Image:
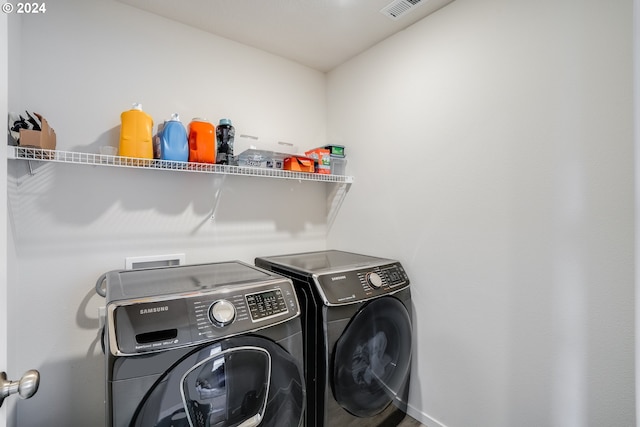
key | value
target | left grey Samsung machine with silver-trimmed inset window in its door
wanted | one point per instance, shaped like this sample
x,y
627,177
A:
x,y
212,345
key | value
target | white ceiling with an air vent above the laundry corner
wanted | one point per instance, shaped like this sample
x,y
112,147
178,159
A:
x,y
320,34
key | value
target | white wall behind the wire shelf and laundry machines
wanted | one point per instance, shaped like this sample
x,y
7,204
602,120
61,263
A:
x,y
81,64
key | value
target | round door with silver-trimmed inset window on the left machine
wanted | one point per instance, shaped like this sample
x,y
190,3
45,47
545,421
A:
x,y
243,381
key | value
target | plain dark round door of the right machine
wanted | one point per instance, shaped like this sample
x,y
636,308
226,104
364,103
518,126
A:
x,y
372,358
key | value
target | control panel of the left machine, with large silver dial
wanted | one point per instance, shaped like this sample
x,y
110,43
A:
x,y
169,321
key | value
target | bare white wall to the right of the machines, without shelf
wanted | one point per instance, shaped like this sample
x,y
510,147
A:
x,y
495,141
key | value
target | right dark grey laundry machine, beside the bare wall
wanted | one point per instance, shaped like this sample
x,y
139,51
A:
x,y
356,312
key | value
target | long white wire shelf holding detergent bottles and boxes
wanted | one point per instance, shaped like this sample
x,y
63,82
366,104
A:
x,y
59,156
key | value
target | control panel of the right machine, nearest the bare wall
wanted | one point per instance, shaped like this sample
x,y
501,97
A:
x,y
353,286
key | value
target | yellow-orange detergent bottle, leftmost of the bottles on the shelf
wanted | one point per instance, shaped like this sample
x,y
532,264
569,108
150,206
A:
x,y
136,133
